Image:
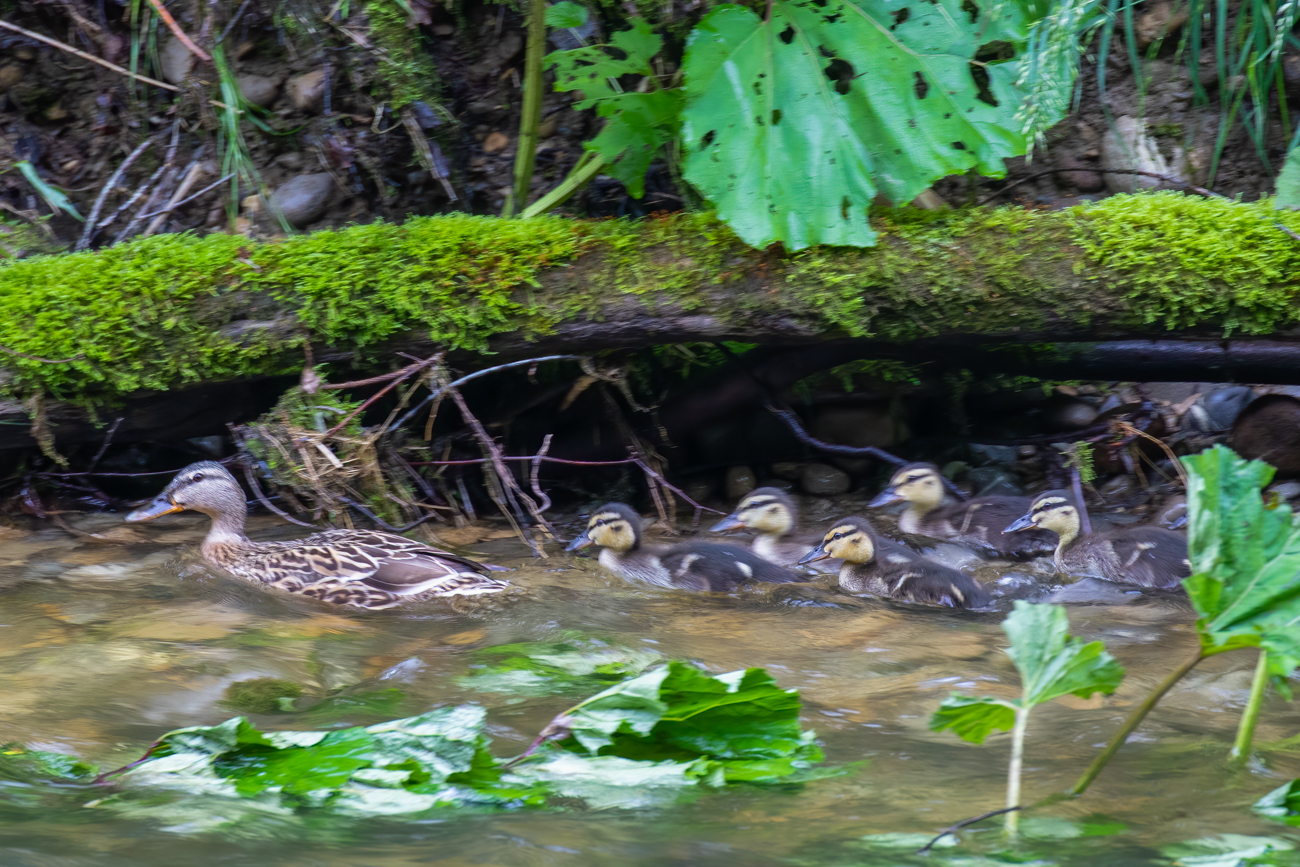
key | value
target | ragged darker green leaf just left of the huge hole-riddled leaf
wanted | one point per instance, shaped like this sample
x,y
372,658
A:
x,y
639,124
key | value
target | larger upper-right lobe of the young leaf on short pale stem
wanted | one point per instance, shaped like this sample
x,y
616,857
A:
x,y
1052,662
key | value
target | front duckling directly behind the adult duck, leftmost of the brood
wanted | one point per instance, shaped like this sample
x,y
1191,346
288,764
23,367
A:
x,y
691,566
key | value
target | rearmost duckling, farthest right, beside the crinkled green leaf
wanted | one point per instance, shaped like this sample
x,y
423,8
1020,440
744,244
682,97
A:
x,y
1146,556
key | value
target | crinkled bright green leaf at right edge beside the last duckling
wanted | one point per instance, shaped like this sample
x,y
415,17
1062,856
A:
x,y
1246,560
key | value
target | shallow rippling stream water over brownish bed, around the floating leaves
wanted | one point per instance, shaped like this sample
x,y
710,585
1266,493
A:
x,y
106,644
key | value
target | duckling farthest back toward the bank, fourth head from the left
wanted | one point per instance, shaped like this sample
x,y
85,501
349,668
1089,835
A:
x,y
977,522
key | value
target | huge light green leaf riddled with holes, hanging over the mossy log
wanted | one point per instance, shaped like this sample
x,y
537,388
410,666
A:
x,y
792,127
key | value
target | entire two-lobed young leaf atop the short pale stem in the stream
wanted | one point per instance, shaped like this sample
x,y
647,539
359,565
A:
x,y
1052,664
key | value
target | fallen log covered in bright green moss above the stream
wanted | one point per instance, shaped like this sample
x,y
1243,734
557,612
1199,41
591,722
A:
x,y
157,315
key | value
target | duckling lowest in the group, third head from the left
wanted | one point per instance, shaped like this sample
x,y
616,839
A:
x,y
876,565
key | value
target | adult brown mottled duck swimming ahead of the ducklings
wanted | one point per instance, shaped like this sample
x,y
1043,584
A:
x,y
363,569
